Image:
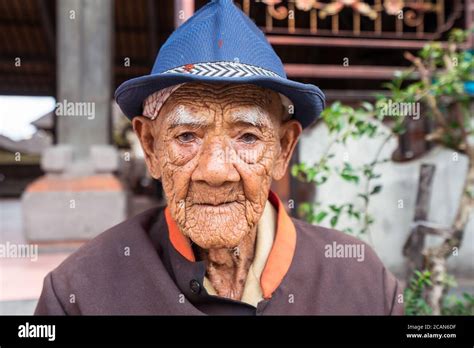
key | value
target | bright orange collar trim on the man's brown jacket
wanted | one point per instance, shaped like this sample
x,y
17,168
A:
x,y
279,259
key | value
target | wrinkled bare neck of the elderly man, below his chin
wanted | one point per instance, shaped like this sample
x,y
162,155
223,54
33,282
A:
x,y
227,269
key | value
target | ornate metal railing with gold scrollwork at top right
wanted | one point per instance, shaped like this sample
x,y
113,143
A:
x,y
407,19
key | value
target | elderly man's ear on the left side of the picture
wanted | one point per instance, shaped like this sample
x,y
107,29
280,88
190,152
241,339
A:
x,y
144,129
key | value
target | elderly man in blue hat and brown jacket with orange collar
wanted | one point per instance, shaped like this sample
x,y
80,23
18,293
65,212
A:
x,y
218,121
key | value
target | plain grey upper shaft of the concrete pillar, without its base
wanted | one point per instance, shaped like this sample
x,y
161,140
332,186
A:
x,y
84,51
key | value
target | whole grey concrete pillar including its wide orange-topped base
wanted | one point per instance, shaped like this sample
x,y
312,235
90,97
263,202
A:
x,y
79,197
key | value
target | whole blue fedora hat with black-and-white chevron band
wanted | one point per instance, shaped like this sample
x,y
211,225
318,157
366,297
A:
x,y
219,43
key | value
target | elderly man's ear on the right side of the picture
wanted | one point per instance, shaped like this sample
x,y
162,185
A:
x,y
289,134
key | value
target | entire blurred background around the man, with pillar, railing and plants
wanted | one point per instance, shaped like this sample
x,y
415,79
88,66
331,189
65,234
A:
x,y
71,167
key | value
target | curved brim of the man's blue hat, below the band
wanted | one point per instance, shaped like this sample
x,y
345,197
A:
x,y
308,100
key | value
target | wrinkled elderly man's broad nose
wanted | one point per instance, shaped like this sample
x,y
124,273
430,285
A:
x,y
215,166
